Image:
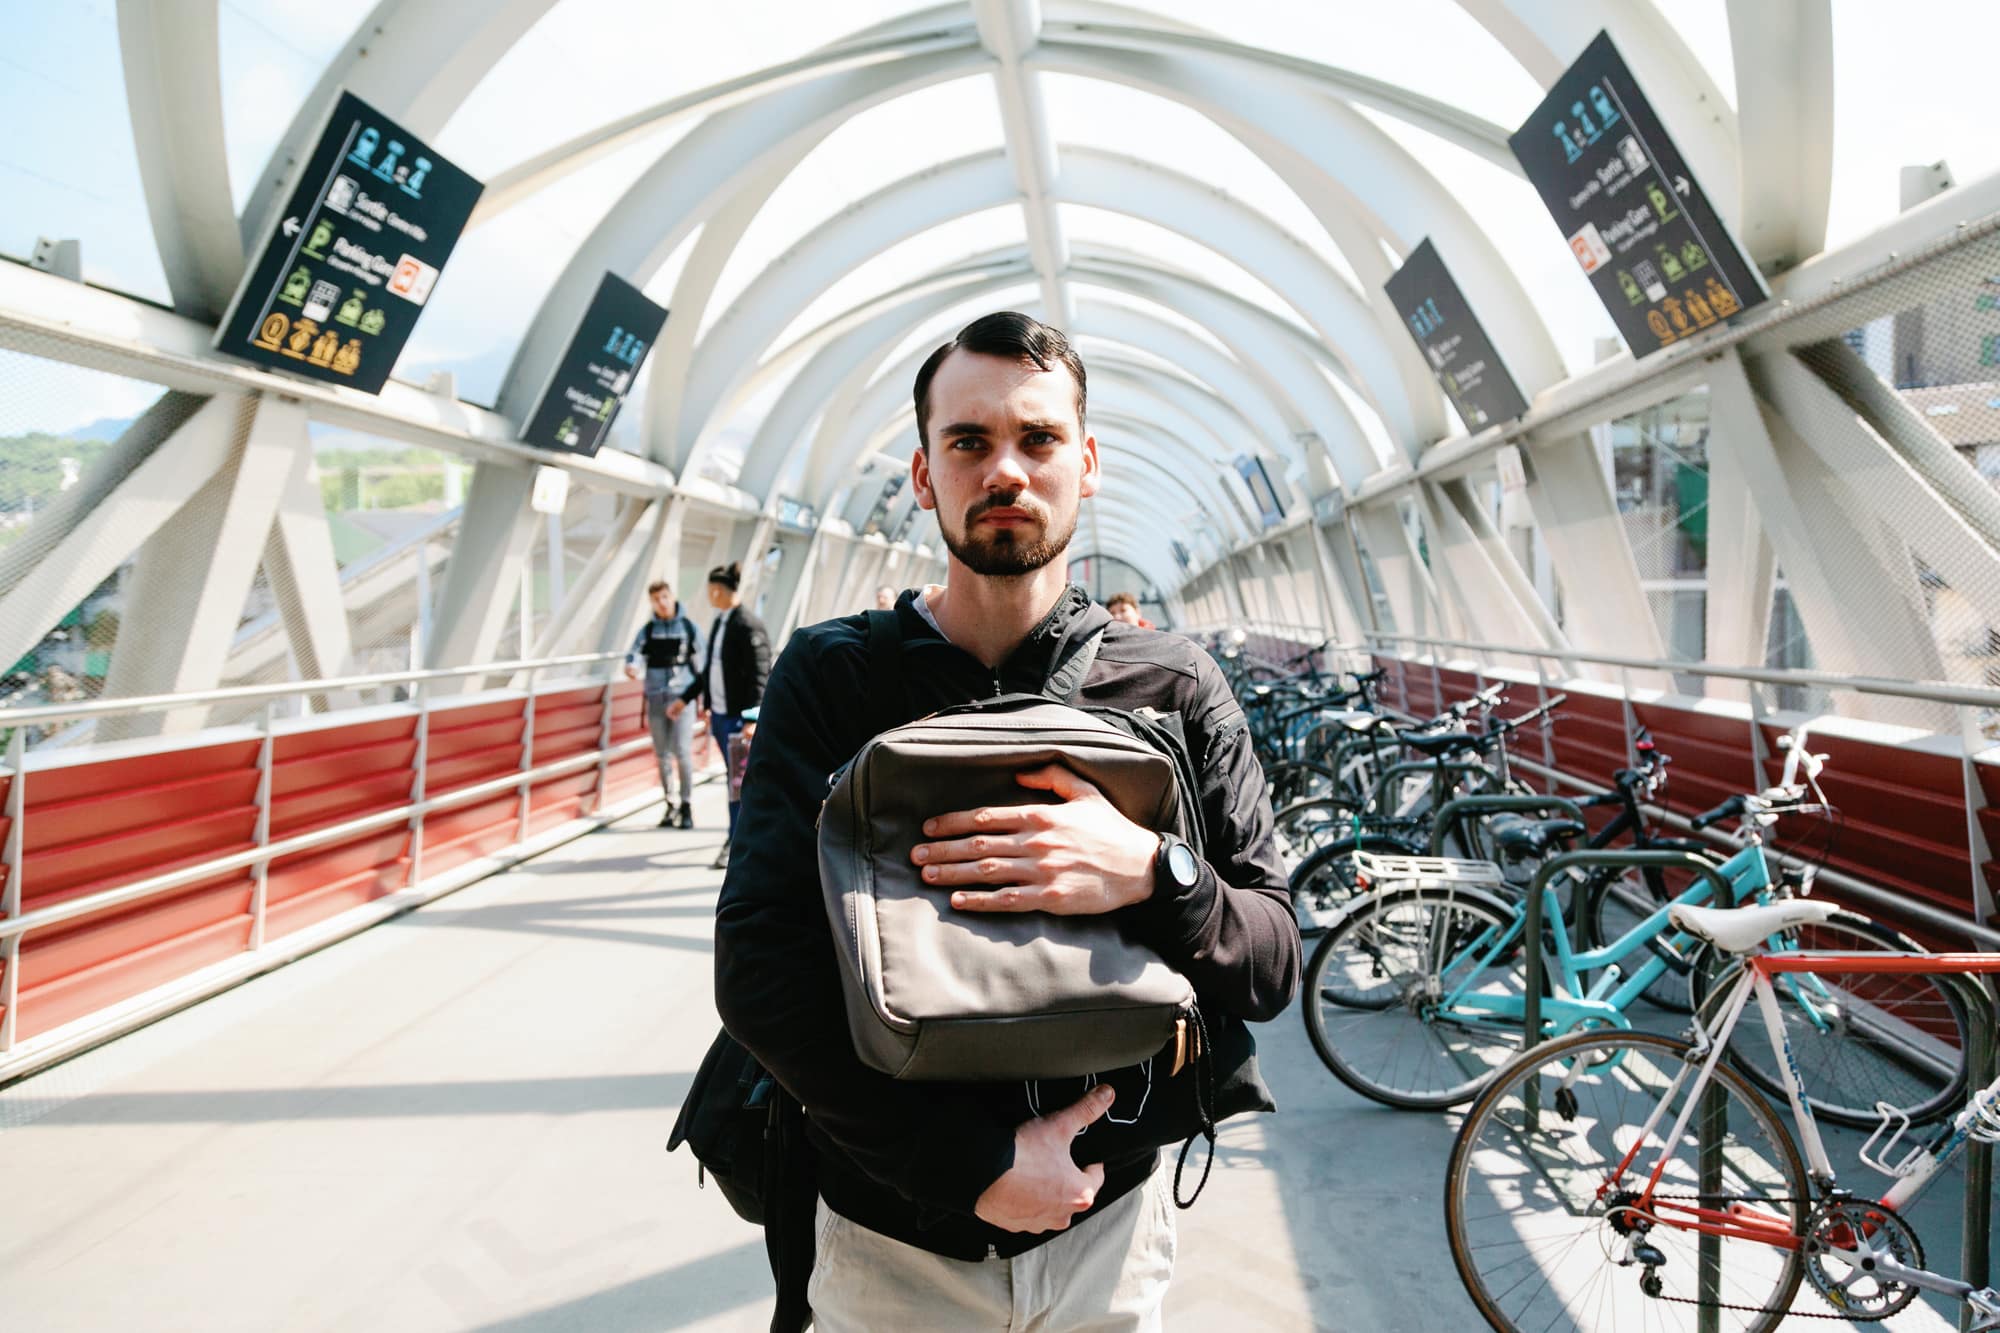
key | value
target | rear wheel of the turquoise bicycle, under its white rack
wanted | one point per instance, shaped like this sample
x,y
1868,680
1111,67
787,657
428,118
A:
x,y
1373,996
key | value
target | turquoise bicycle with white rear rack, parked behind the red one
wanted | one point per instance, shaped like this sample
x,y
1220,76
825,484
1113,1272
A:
x,y
1417,994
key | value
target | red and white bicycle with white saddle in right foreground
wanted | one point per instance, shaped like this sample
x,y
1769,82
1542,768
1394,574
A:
x,y
1563,1170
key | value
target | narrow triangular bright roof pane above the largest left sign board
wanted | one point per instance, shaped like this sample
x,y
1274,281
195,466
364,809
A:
x,y
273,55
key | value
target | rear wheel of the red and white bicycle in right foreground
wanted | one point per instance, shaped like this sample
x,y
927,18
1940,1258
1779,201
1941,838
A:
x,y
1543,1182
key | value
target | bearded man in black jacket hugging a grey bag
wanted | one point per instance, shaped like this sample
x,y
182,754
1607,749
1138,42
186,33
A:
x,y
953,1206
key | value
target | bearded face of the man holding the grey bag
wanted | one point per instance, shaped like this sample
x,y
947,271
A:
x,y
1009,463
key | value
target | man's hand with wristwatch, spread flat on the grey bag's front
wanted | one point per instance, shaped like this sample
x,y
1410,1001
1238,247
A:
x,y
1075,860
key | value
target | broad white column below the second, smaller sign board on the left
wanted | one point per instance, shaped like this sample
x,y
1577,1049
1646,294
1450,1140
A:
x,y
483,577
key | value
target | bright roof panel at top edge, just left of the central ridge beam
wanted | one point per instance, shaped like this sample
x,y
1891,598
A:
x,y
609,59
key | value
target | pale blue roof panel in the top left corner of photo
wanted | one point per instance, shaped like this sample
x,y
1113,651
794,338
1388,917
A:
x,y
69,169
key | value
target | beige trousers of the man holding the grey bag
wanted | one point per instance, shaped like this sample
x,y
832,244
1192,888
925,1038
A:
x,y
1103,1276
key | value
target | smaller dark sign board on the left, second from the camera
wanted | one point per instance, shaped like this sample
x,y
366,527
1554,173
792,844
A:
x,y
595,375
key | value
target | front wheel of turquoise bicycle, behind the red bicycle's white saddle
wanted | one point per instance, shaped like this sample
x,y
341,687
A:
x,y
1857,1040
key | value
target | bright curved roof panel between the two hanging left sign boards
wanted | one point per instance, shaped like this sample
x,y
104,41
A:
x,y
503,269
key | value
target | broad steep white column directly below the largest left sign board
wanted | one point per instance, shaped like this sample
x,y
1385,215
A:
x,y
193,577
